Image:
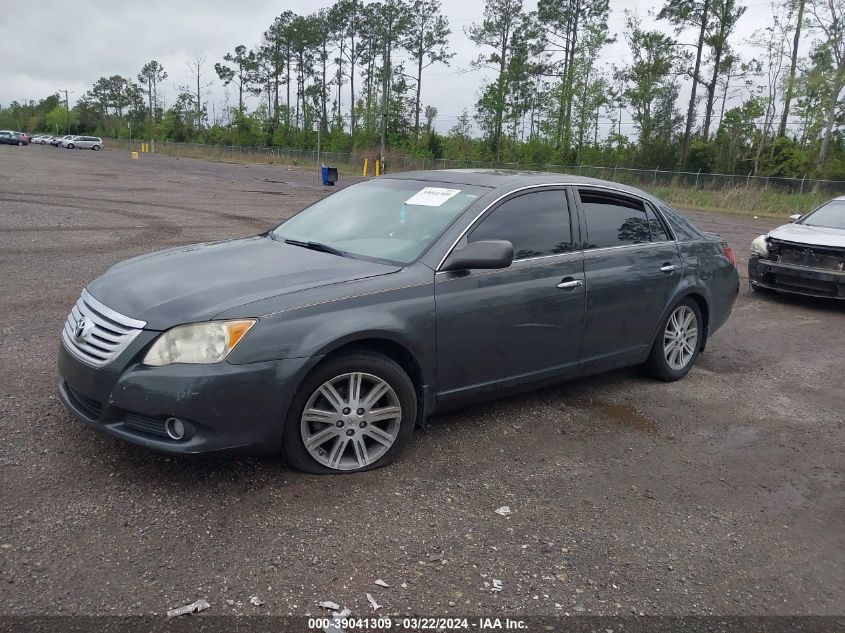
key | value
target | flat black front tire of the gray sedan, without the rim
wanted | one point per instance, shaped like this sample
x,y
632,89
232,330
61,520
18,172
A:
x,y
293,447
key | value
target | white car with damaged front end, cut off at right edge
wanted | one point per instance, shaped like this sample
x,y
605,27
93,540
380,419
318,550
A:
x,y
806,256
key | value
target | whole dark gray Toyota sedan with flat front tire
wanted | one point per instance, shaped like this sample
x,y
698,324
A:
x,y
330,337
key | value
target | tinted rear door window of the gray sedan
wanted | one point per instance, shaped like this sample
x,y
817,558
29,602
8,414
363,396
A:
x,y
614,220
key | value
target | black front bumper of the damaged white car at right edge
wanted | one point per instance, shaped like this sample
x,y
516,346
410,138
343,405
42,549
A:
x,y
802,280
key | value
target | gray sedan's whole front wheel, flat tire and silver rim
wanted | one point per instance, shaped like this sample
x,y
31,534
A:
x,y
352,413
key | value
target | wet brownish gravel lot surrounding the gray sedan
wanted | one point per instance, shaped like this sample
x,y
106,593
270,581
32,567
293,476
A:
x,y
720,494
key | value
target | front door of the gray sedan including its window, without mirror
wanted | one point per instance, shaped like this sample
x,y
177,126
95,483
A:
x,y
518,324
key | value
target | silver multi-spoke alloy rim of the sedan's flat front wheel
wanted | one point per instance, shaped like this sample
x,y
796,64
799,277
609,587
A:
x,y
351,421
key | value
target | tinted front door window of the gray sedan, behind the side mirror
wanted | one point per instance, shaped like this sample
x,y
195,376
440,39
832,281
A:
x,y
537,224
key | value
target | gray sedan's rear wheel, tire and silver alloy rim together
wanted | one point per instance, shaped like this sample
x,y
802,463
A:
x,y
678,342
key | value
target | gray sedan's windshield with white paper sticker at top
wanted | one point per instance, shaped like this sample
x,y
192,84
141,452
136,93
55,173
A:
x,y
390,219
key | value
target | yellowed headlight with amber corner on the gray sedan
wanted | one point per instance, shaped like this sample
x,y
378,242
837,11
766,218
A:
x,y
201,343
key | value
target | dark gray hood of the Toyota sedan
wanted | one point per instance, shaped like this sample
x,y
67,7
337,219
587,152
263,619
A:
x,y
198,282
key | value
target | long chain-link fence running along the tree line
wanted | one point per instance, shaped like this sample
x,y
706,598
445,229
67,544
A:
x,y
353,163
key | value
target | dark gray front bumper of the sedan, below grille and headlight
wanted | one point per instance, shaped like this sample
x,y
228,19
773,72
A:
x,y
223,407
